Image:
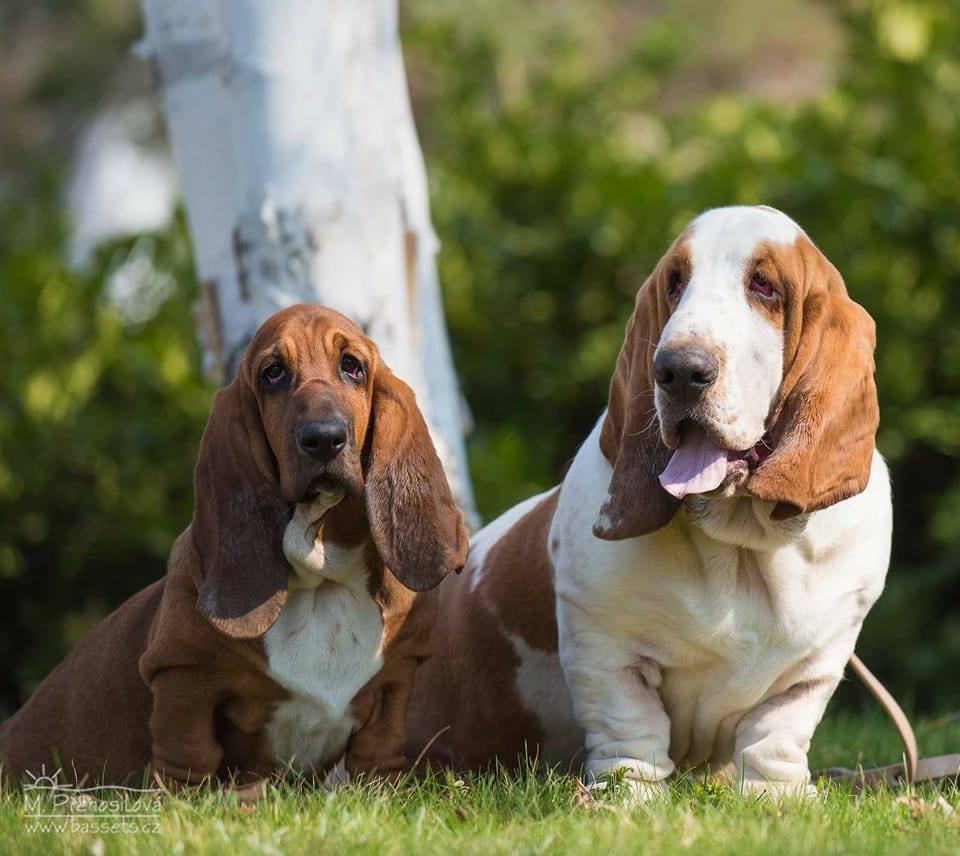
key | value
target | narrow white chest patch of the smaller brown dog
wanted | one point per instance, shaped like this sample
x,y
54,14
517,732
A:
x,y
325,645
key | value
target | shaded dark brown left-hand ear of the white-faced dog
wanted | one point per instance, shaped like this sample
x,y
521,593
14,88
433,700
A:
x,y
636,503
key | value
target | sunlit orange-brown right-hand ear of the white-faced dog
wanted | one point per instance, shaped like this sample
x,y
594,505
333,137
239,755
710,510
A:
x,y
825,422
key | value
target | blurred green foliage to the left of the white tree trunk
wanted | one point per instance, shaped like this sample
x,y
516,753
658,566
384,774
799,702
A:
x,y
99,426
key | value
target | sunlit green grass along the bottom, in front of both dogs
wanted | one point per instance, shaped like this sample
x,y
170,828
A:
x,y
526,813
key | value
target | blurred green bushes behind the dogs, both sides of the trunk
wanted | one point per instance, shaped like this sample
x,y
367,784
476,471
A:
x,y
556,181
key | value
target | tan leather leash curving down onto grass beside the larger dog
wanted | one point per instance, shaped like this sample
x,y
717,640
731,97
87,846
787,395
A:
x,y
913,769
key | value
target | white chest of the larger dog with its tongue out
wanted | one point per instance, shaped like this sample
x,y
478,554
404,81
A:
x,y
733,610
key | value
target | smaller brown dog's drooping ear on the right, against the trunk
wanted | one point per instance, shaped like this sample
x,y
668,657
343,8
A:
x,y
415,524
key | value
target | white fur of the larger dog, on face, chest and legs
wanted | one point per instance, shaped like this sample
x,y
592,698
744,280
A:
x,y
722,636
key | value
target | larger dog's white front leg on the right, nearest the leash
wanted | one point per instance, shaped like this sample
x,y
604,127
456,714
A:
x,y
772,740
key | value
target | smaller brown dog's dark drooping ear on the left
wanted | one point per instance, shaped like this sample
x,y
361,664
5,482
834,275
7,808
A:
x,y
239,518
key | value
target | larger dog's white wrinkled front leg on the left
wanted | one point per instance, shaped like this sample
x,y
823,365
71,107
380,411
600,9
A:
x,y
617,703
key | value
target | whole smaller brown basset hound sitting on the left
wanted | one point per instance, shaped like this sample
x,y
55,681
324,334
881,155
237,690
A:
x,y
288,628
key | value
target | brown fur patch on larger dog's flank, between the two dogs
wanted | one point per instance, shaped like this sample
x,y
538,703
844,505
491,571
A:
x,y
465,696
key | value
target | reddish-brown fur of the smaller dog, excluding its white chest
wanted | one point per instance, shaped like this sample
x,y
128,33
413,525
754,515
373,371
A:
x,y
175,681
